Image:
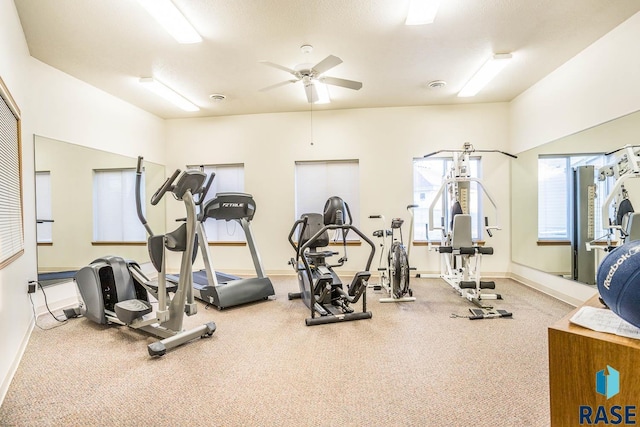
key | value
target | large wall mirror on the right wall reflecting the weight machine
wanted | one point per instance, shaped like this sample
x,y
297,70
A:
x,y
555,257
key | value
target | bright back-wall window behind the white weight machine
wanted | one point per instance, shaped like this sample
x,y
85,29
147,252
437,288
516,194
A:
x,y
428,176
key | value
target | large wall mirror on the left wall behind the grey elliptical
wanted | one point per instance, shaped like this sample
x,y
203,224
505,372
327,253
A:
x,y
66,205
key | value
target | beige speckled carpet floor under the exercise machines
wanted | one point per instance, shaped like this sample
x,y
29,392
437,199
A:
x,y
412,364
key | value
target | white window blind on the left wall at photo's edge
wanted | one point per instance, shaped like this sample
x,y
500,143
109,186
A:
x,y
11,229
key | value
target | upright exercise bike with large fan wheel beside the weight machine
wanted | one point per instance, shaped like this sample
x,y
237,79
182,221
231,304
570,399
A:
x,y
395,276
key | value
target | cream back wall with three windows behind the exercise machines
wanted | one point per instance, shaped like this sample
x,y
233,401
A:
x,y
385,140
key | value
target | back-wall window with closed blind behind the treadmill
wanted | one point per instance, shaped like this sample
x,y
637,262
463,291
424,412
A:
x,y
228,179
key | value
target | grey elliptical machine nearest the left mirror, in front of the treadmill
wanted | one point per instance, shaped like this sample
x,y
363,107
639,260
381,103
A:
x,y
113,290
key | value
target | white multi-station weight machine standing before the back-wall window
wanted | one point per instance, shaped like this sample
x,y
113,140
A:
x,y
461,258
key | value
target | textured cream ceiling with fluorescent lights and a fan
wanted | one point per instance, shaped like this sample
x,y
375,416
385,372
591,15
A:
x,y
111,44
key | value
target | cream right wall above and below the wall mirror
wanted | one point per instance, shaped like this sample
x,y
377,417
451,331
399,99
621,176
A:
x,y
598,85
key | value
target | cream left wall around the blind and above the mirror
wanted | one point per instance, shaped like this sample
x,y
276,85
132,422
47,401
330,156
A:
x,y
56,105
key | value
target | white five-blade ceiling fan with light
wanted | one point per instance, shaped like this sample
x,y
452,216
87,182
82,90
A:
x,y
310,76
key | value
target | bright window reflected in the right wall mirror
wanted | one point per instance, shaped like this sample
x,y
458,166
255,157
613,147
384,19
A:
x,y
555,216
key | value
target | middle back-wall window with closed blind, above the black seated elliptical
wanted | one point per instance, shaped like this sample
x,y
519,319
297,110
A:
x,y
317,181
